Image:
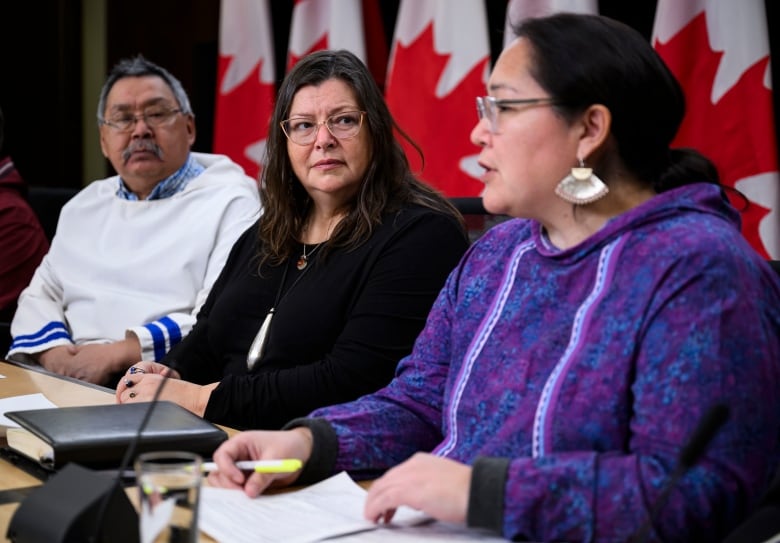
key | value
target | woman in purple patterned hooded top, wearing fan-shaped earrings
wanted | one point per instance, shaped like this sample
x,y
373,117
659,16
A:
x,y
572,354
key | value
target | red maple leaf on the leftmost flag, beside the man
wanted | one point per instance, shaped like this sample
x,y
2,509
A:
x,y
241,116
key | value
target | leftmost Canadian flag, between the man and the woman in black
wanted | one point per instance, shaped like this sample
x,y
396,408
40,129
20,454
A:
x,y
245,82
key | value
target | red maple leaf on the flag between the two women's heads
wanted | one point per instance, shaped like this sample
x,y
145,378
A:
x,y
440,126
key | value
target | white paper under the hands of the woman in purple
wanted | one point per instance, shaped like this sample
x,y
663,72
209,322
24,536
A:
x,y
330,508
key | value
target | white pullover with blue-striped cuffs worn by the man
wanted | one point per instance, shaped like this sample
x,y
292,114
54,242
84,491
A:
x,y
143,266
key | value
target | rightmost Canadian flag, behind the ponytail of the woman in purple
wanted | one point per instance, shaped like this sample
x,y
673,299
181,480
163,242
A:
x,y
719,51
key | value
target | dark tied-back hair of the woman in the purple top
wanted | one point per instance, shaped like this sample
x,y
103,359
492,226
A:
x,y
581,60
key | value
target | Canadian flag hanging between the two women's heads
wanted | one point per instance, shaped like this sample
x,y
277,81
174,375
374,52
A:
x,y
438,65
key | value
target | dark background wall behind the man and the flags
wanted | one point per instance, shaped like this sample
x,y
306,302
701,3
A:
x,y
41,65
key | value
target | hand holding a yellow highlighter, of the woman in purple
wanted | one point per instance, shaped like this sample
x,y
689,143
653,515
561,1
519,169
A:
x,y
259,445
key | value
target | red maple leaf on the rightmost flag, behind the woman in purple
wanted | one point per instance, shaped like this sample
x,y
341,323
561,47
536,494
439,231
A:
x,y
736,132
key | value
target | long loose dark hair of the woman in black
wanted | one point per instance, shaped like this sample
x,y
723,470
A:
x,y
387,185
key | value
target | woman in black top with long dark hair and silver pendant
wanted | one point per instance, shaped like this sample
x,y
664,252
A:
x,y
322,297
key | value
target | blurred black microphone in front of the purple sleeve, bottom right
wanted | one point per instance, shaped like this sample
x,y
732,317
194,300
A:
x,y
708,426
